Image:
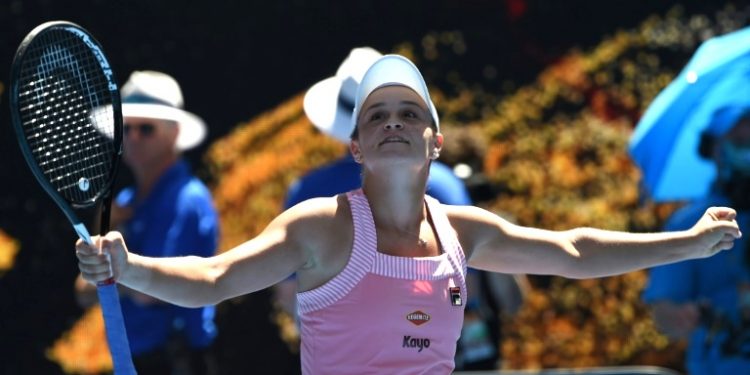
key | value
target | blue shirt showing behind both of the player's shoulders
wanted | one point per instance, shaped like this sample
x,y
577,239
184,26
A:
x,y
344,175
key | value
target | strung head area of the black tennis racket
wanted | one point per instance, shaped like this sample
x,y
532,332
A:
x,y
66,110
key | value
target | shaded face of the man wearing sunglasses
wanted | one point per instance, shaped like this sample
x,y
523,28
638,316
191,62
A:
x,y
148,141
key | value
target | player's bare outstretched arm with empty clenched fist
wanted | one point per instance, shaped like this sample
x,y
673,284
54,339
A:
x,y
494,244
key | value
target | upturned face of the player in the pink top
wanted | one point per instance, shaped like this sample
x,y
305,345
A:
x,y
394,123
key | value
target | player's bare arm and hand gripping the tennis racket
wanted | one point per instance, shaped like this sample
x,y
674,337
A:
x,y
191,281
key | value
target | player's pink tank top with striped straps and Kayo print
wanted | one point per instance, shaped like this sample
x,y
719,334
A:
x,y
385,314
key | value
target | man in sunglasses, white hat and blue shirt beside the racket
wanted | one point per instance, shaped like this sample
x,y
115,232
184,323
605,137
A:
x,y
168,212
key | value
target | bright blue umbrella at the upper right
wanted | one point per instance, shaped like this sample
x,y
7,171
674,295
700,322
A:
x,y
708,95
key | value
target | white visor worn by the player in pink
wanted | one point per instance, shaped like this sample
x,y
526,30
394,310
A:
x,y
393,70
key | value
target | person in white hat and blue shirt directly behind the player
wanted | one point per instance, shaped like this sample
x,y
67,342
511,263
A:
x,y
328,104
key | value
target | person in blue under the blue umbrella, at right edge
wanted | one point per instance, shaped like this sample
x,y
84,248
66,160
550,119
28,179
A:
x,y
707,301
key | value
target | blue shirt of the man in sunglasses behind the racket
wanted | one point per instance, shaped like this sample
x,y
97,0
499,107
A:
x,y
177,219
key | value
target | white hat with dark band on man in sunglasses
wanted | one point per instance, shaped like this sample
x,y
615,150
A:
x,y
151,94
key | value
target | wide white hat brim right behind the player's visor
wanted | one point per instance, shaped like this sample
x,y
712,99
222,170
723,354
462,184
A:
x,y
322,107
